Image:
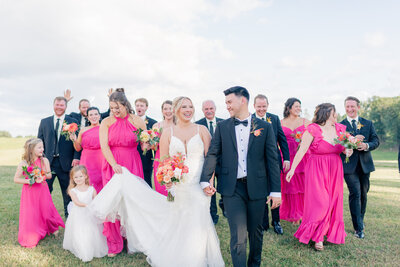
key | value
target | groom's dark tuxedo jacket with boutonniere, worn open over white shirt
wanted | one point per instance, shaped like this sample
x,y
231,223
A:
x,y
262,160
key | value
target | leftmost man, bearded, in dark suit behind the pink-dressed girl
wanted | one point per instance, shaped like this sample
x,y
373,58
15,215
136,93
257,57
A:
x,y
58,150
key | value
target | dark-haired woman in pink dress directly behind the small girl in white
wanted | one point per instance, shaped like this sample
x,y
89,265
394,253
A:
x,y
89,142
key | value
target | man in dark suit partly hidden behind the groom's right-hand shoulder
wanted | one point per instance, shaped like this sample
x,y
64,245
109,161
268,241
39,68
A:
x,y
261,106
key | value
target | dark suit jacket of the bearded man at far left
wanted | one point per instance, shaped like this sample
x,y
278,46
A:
x,y
66,149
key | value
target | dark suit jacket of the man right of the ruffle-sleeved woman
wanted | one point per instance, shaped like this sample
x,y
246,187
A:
x,y
364,157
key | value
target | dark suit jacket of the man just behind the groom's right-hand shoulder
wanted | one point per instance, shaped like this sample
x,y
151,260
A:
x,y
280,138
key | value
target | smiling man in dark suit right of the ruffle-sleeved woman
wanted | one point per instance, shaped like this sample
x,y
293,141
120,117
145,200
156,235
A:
x,y
357,171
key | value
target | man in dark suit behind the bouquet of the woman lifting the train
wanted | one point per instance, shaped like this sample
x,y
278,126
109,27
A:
x,y
141,105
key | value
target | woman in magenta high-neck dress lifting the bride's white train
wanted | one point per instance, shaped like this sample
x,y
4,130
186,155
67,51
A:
x,y
119,146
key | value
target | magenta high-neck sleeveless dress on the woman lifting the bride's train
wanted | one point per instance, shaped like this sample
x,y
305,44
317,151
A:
x,y
123,144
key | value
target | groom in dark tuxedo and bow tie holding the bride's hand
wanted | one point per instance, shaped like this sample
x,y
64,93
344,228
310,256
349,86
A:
x,y
246,148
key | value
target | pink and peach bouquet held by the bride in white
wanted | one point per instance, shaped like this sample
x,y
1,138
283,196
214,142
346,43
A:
x,y
171,170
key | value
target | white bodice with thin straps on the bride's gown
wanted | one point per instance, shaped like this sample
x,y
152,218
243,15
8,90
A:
x,y
194,151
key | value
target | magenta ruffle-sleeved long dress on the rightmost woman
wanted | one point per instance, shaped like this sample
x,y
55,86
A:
x,y
323,194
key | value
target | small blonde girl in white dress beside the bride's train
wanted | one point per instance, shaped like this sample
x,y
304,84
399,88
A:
x,y
83,233
